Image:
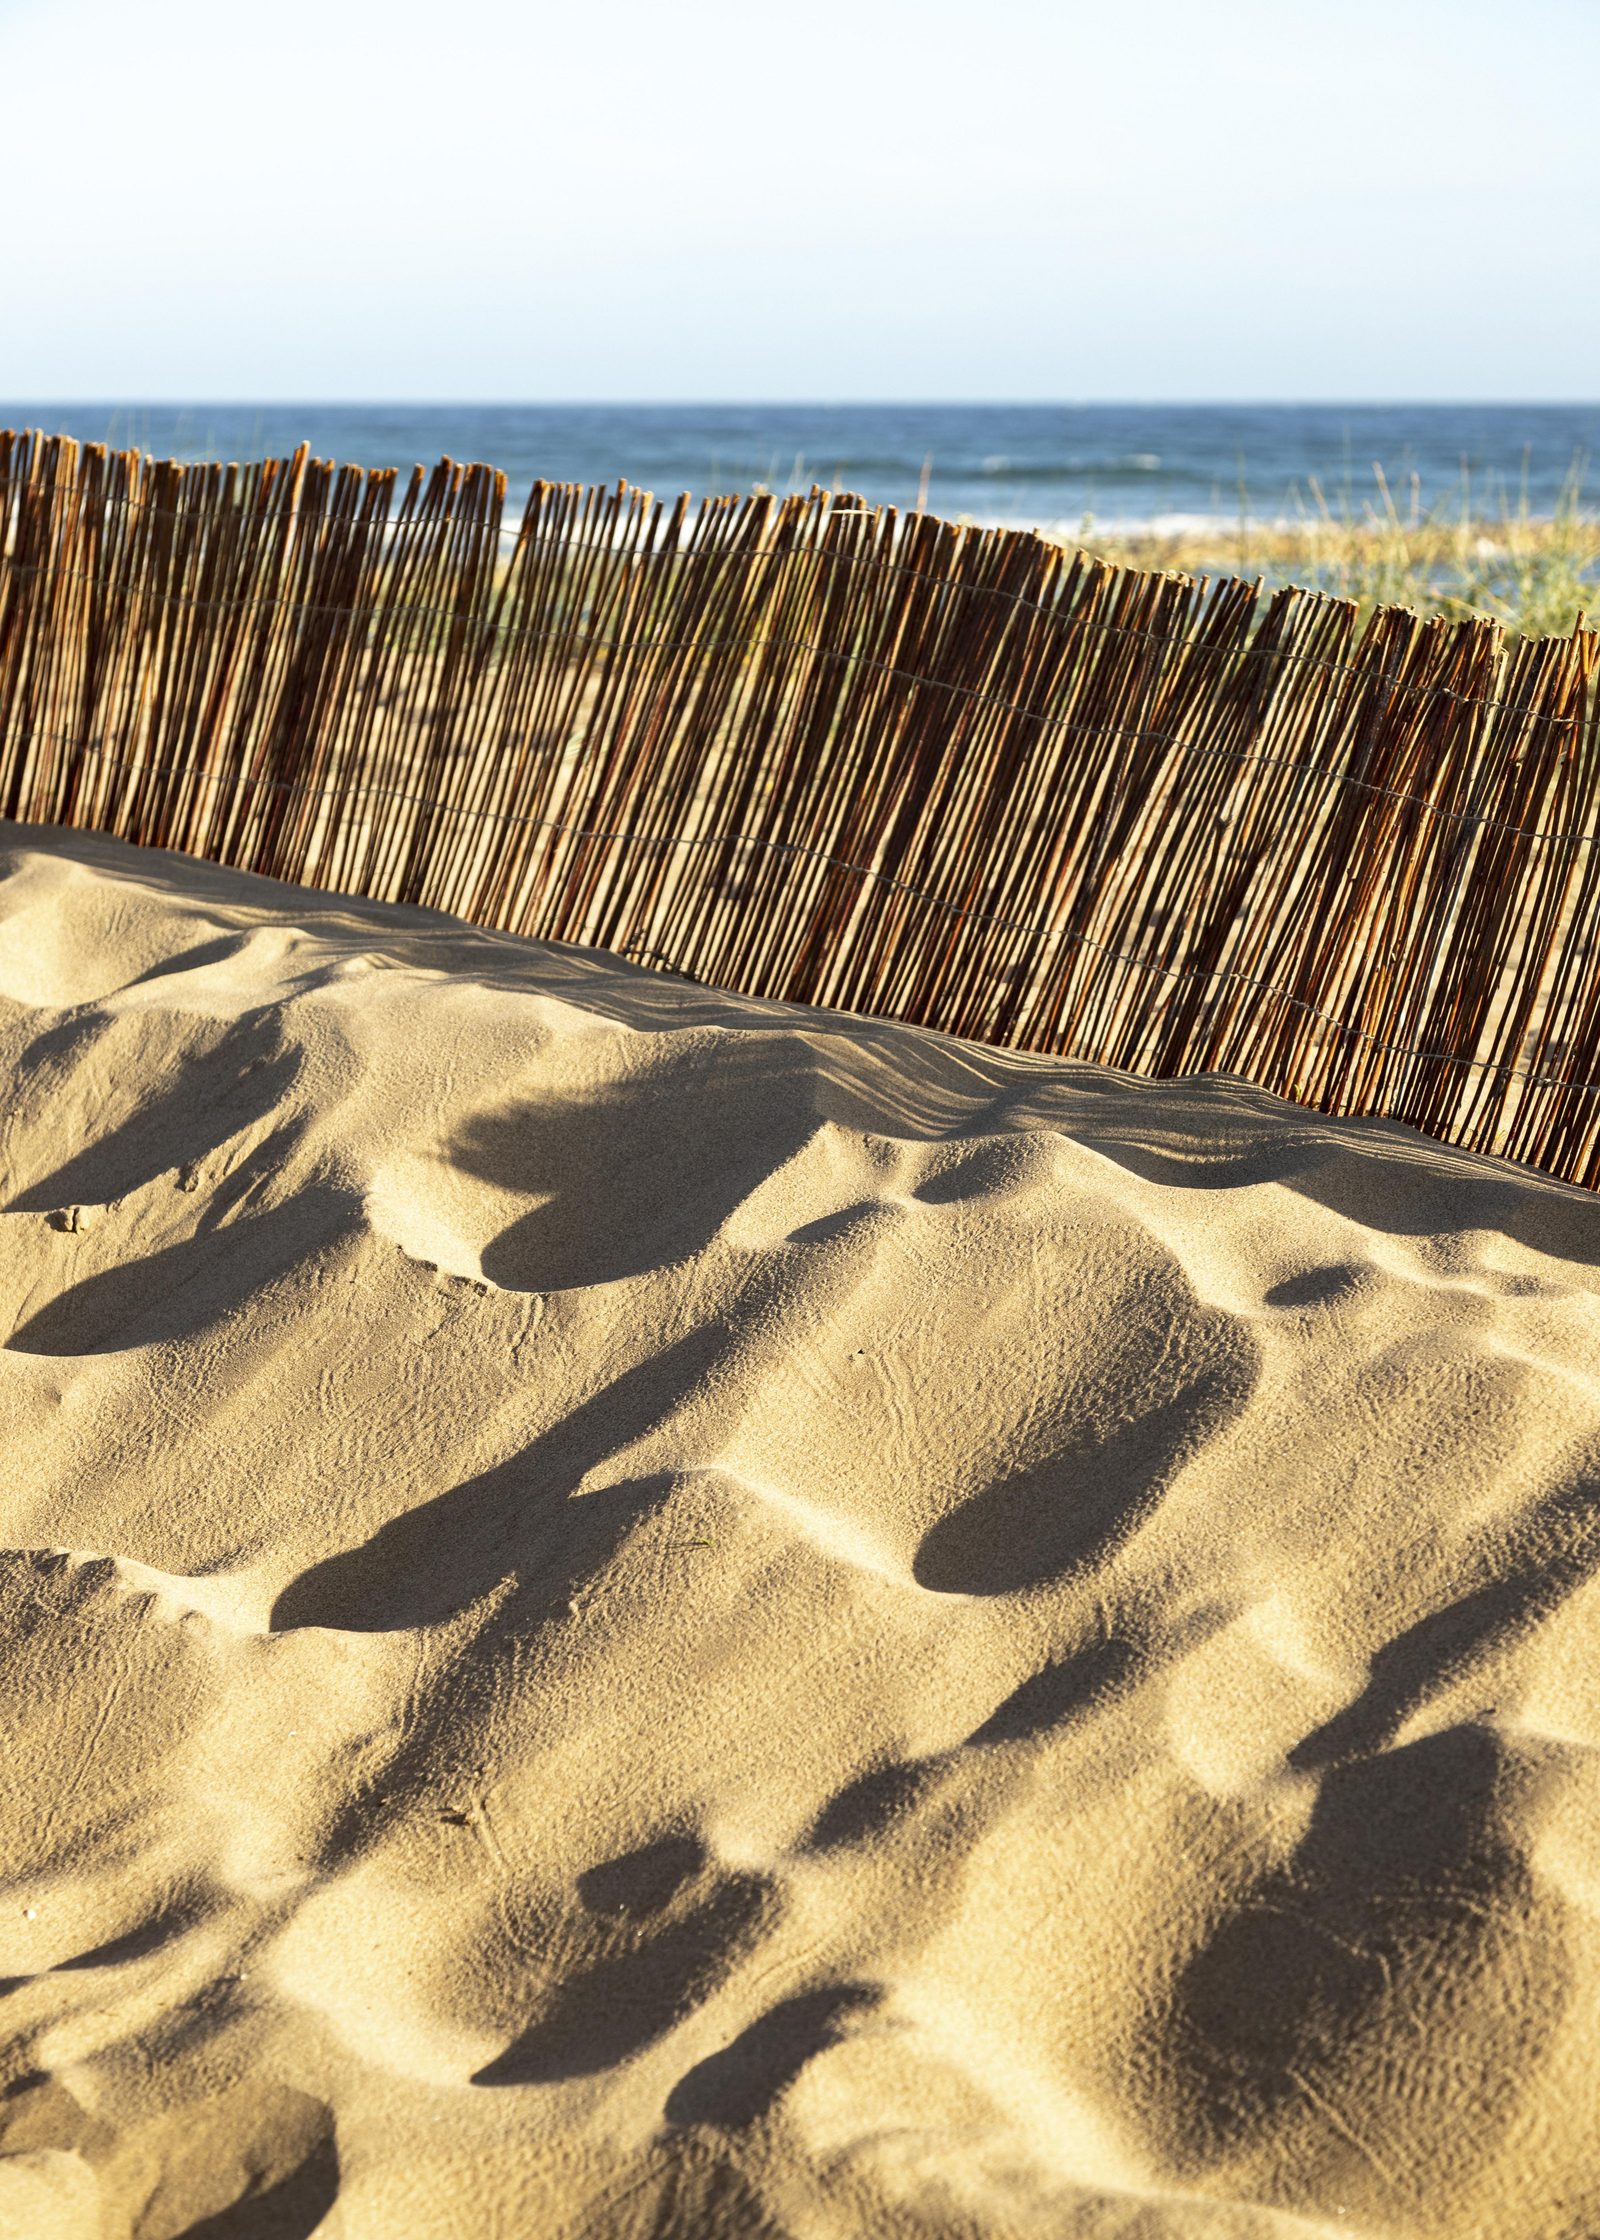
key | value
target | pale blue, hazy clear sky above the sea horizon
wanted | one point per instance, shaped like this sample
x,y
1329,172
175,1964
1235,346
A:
x,y
848,200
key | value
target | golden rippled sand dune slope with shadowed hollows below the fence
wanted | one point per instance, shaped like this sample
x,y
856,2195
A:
x,y
638,1614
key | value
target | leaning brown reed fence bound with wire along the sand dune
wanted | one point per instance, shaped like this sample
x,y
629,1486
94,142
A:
x,y
841,756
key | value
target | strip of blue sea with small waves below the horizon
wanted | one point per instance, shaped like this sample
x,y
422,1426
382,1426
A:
x,y
1048,465
